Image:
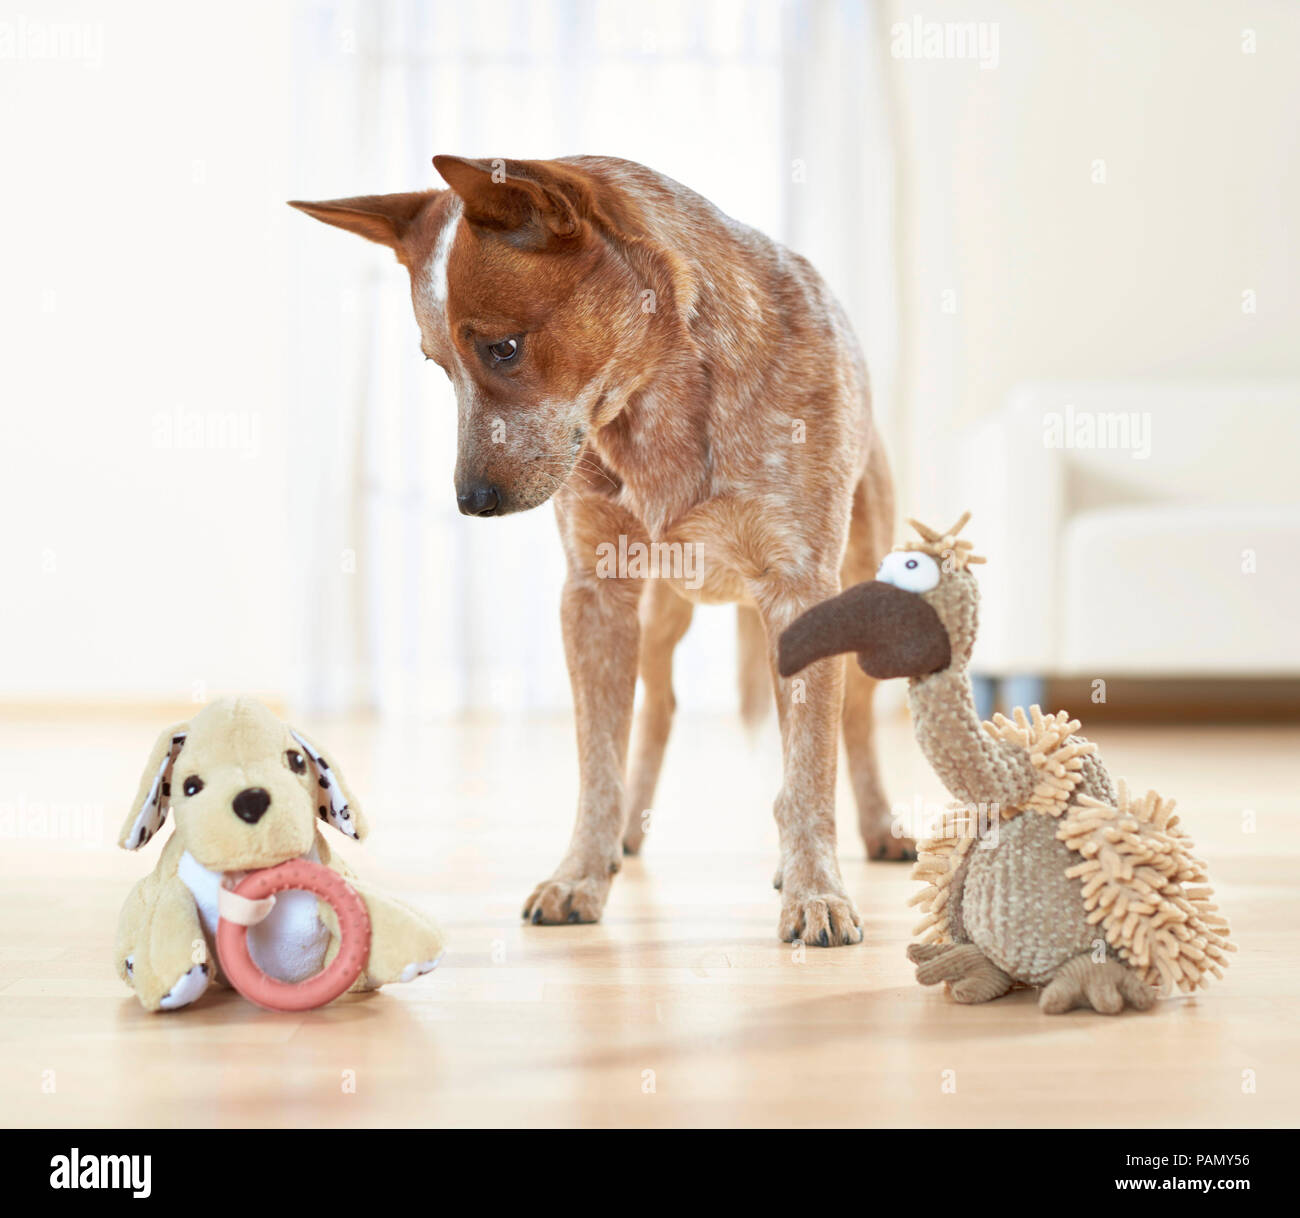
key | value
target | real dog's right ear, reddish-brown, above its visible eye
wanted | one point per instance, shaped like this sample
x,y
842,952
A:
x,y
532,202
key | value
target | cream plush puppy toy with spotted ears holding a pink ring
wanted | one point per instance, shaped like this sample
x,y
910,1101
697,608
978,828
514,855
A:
x,y
248,792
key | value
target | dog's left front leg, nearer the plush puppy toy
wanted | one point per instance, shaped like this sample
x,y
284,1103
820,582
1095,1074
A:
x,y
601,643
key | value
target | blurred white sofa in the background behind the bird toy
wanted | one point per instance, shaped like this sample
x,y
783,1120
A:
x,y
1139,531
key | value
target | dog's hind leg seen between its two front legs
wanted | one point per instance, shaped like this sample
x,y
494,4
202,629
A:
x,y
665,618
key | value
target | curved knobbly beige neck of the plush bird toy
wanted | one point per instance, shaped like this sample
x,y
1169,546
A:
x,y
974,766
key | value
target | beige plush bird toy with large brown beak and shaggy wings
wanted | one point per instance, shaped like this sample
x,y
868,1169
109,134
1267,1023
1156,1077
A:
x,y
1043,874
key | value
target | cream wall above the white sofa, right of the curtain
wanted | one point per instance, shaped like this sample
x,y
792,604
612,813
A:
x,y
1058,276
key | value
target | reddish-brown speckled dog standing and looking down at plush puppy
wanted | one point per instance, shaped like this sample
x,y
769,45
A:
x,y
691,395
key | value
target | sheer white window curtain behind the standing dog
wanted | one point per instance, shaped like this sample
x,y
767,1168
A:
x,y
772,110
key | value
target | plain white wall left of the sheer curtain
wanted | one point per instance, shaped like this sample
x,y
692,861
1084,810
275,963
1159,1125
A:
x,y
142,296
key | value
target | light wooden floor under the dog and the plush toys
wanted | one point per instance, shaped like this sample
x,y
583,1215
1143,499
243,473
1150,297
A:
x,y
682,1008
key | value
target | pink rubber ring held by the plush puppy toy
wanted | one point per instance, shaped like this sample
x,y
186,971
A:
x,y
354,950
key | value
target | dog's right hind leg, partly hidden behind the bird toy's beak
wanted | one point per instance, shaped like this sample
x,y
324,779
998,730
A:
x,y
870,535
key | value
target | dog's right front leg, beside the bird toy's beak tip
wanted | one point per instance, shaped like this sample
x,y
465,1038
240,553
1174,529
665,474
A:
x,y
816,908
